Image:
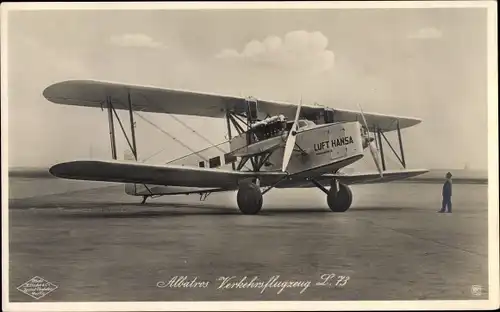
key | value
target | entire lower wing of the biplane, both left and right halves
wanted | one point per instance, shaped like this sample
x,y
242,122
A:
x,y
175,175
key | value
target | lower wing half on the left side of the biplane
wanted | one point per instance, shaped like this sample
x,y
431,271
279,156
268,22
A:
x,y
131,172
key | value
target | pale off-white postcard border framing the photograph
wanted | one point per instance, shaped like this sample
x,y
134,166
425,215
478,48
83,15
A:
x,y
493,213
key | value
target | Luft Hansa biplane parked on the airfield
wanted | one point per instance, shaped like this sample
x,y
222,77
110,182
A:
x,y
287,145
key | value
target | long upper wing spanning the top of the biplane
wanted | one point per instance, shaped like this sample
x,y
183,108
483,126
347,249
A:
x,y
160,100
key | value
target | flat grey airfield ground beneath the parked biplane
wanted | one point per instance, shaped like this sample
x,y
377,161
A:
x,y
102,245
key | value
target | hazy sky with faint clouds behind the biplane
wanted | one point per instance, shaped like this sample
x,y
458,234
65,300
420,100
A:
x,y
425,63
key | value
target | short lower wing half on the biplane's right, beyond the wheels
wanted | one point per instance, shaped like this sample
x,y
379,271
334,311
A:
x,y
374,177
